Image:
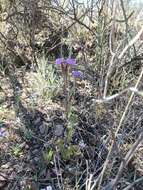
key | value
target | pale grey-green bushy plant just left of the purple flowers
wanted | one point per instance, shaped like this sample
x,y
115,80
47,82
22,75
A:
x,y
44,81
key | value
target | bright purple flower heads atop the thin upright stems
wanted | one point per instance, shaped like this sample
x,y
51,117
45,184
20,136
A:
x,y
69,61
